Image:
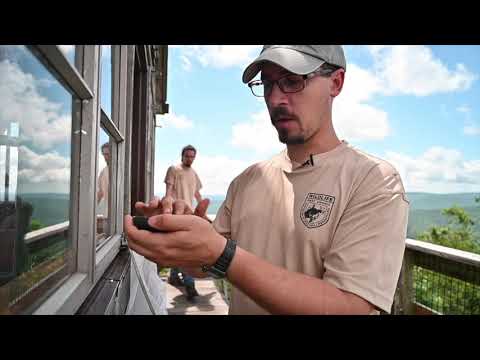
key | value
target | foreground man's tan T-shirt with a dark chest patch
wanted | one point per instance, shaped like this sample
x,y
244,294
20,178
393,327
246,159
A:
x,y
343,220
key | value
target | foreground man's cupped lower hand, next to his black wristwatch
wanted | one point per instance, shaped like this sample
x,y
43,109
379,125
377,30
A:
x,y
187,241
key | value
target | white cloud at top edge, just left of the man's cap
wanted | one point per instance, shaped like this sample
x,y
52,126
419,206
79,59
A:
x,y
220,56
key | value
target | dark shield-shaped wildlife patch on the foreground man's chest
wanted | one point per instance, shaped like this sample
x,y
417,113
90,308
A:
x,y
316,209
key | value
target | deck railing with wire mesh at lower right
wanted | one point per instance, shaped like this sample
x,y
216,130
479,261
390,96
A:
x,y
437,280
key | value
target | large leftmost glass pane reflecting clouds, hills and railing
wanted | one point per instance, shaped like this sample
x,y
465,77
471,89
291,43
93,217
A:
x,y
35,148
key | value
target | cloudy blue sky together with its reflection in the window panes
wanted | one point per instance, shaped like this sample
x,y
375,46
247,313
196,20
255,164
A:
x,y
415,106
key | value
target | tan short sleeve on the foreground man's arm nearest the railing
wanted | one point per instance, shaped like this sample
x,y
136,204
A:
x,y
367,248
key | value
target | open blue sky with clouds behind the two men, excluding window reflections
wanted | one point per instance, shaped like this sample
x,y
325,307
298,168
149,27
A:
x,y
415,106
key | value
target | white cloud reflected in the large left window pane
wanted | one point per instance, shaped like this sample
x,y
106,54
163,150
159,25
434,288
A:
x,y
40,120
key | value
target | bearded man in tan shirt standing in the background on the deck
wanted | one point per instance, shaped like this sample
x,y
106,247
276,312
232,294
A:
x,y
182,182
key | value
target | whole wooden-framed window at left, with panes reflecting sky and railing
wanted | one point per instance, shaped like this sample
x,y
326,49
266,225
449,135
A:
x,y
59,106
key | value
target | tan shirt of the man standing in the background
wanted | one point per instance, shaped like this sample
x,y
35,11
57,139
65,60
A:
x,y
185,182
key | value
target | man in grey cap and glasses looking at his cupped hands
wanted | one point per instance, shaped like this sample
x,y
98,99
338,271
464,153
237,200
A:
x,y
318,229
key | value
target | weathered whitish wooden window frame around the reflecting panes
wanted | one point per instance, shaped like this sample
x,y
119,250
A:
x,y
91,264
